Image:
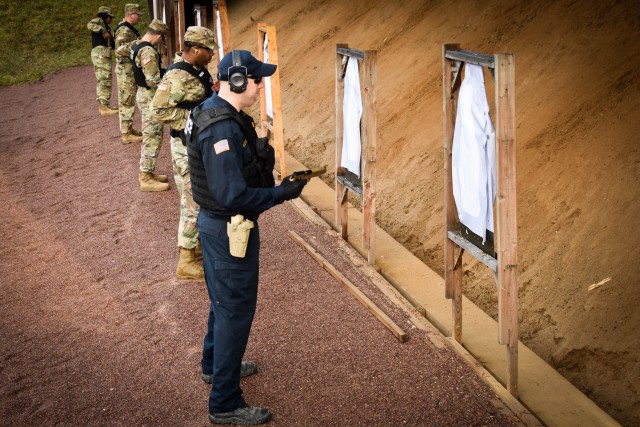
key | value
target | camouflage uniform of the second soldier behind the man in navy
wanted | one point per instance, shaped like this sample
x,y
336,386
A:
x,y
147,59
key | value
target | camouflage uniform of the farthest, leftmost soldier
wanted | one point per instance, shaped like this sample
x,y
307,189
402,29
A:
x,y
101,58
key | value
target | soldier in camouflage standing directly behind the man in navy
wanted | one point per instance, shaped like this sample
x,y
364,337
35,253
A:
x,y
186,84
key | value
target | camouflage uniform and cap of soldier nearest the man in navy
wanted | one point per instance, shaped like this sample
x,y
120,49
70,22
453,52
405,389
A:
x,y
180,86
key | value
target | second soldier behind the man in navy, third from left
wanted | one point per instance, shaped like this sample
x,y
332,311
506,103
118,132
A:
x,y
148,73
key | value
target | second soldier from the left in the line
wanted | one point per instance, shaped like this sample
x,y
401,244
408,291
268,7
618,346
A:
x,y
125,33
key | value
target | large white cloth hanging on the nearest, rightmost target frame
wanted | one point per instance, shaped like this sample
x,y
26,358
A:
x,y
474,155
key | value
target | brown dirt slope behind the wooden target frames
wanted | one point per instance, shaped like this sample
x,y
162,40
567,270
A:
x,y
578,160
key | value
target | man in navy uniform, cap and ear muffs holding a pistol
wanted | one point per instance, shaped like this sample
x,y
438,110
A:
x,y
232,177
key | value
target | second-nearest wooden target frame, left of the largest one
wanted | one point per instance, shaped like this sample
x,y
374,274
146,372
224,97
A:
x,y
365,187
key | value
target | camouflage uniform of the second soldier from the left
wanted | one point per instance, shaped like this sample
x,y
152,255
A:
x,y
127,87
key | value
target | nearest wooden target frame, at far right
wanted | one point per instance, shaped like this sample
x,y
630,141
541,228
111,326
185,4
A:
x,y
505,264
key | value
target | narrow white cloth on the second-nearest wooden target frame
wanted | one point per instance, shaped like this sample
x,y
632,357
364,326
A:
x,y
352,113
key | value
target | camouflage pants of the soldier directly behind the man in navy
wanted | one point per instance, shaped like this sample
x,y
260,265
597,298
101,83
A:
x,y
188,226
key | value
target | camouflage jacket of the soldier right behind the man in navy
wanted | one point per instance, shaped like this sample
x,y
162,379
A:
x,y
177,86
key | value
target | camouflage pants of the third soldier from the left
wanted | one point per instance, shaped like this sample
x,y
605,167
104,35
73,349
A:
x,y
151,131
